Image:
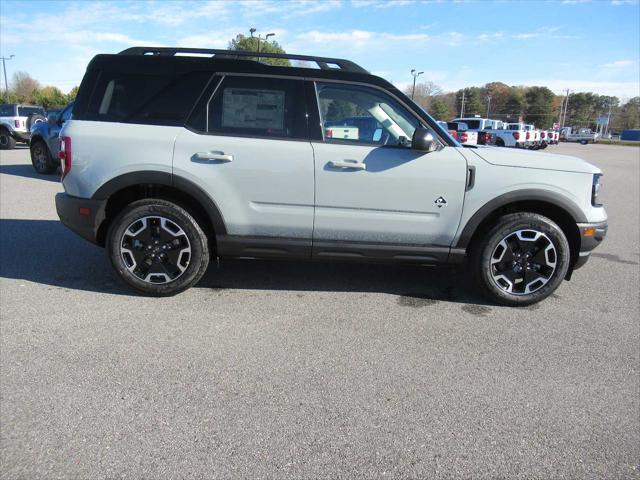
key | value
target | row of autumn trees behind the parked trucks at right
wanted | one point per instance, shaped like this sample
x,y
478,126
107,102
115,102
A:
x,y
536,105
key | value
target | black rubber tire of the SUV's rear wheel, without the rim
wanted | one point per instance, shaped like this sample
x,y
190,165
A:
x,y
199,258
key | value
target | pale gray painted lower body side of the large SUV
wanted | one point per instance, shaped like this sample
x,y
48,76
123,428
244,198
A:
x,y
292,188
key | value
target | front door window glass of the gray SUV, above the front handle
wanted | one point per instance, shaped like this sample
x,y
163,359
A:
x,y
363,115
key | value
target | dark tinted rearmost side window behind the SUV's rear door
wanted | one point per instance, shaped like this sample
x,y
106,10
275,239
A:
x,y
149,99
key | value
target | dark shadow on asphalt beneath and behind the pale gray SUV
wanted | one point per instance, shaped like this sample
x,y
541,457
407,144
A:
x,y
46,252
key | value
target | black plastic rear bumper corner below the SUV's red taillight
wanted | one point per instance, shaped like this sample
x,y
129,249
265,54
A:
x,y
81,215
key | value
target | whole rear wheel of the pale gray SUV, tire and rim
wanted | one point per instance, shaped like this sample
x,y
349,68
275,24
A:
x,y
148,213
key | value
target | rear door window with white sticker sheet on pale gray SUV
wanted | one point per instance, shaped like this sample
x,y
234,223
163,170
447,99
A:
x,y
258,106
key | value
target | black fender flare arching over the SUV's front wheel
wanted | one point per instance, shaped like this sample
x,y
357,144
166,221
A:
x,y
525,195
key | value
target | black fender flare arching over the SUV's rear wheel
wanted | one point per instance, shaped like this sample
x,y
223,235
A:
x,y
167,179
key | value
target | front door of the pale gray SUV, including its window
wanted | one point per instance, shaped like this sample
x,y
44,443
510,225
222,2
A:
x,y
373,192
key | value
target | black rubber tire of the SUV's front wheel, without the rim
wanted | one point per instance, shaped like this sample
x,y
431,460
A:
x,y
510,224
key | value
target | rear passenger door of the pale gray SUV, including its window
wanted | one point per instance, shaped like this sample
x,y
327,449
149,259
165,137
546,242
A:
x,y
247,147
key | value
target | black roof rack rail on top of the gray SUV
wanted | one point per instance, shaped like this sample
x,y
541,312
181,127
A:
x,y
323,63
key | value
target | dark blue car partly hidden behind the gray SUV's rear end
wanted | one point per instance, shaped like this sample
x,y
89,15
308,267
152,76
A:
x,y
45,141
